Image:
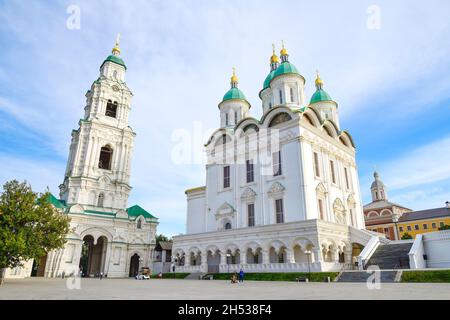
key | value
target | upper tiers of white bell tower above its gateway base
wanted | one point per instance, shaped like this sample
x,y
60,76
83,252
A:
x,y
98,168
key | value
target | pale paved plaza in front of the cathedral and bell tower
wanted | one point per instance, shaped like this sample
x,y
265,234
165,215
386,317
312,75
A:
x,y
49,289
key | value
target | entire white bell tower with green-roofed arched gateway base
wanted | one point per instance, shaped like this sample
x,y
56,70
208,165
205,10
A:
x,y
107,236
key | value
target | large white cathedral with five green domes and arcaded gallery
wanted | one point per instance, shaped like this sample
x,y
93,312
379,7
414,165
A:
x,y
302,212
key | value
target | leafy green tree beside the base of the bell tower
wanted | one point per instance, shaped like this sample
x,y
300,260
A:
x,y
30,226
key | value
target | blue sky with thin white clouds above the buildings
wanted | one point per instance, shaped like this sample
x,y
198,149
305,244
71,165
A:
x,y
392,84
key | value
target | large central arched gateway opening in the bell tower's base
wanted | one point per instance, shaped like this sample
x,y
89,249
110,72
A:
x,y
92,258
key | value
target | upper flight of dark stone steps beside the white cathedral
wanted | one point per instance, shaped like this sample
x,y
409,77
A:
x,y
390,256
